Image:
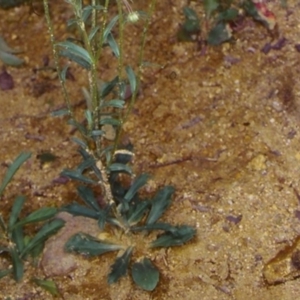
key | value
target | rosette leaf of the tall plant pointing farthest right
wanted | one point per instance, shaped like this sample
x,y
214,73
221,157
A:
x,y
175,237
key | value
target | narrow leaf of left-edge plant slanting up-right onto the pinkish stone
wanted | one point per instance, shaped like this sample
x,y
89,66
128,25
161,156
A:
x,y
43,234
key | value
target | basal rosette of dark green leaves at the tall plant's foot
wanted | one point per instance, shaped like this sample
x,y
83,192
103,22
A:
x,y
127,221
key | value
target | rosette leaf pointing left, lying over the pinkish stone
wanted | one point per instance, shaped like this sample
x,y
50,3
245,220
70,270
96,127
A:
x,y
87,245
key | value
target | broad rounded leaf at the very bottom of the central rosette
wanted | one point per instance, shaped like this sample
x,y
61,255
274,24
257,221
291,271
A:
x,y
145,274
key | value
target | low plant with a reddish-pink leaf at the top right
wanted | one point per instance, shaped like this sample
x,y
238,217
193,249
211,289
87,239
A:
x,y
222,17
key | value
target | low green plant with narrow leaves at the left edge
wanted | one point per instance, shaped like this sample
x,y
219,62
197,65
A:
x,y
13,242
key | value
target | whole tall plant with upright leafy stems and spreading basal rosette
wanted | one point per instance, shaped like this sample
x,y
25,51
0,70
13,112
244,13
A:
x,y
122,215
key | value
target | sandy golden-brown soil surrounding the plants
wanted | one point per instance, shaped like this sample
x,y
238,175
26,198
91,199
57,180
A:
x,y
220,124
